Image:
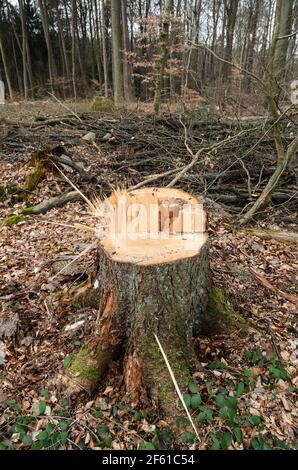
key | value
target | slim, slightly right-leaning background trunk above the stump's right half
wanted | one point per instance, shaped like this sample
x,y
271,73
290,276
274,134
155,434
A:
x,y
164,43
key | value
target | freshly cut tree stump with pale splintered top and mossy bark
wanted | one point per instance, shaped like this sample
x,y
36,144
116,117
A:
x,y
153,278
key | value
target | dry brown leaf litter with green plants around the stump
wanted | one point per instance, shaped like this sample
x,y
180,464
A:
x,y
41,327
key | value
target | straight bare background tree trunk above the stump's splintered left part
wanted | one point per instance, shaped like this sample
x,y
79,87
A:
x,y
117,47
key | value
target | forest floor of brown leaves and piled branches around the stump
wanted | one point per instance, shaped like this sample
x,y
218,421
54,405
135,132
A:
x,y
244,389
